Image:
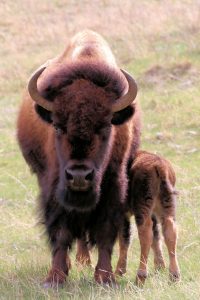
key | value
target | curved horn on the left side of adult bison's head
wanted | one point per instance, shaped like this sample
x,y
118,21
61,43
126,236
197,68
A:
x,y
33,91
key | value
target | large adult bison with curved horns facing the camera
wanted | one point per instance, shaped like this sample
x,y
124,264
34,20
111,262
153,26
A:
x,y
78,129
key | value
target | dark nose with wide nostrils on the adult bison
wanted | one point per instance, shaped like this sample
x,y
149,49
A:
x,y
78,179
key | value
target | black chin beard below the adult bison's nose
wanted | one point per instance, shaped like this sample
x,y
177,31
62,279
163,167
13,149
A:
x,y
77,201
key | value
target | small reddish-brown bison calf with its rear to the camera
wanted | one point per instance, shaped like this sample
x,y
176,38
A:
x,y
152,199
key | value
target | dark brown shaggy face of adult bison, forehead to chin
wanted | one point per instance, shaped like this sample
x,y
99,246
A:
x,y
83,138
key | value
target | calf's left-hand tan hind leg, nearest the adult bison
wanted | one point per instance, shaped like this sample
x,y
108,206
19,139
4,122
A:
x,y
145,236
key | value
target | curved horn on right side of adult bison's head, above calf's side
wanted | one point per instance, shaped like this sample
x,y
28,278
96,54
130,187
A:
x,y
129,97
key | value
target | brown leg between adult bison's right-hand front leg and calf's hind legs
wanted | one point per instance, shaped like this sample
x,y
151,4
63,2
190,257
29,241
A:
x,y
124,241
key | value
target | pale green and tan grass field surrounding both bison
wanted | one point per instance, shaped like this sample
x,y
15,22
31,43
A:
x,y
158,42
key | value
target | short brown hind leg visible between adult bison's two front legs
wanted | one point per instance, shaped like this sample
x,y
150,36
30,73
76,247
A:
x,y
83,255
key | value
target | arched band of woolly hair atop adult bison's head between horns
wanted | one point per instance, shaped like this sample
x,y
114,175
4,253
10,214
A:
x,y
98,73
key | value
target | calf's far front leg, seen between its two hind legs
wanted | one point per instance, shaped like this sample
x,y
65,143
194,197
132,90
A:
x,y
157,246
